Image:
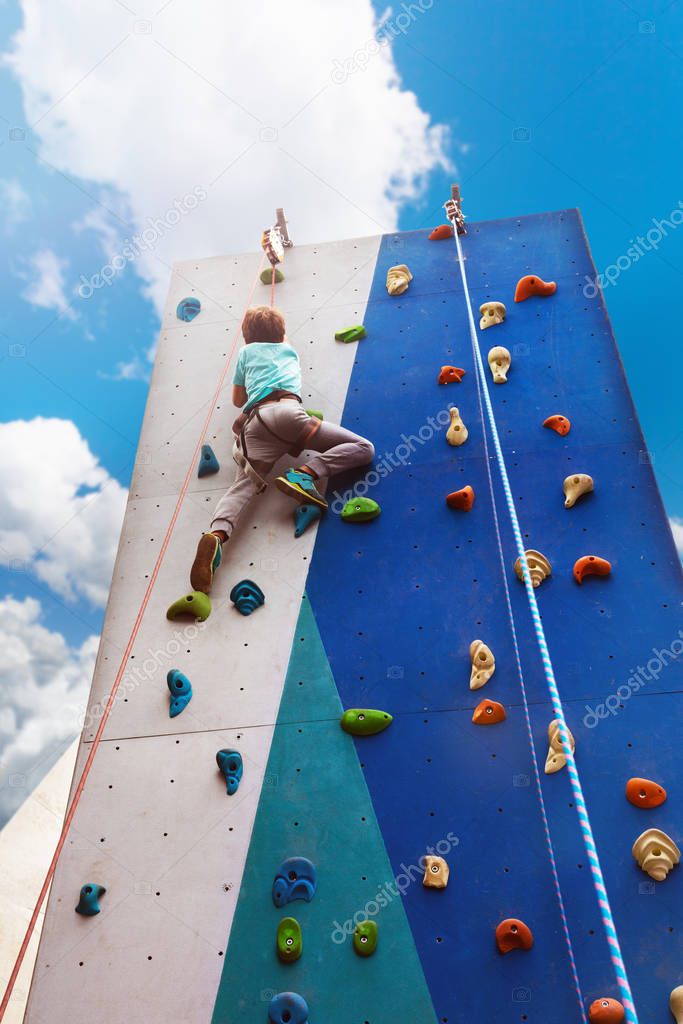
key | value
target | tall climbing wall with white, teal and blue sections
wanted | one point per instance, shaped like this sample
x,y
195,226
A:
x,y
381,615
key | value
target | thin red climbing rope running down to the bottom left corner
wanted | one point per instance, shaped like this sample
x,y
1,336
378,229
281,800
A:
x,y
112,696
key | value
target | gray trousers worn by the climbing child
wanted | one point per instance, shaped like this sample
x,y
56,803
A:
x,y
337,449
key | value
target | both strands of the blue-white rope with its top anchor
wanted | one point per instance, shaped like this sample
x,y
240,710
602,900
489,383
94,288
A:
x,y
455,216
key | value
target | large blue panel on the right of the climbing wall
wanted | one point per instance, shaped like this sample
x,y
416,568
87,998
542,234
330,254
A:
x,y
399,601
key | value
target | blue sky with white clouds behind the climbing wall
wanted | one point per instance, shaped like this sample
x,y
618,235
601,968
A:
x,y
530,108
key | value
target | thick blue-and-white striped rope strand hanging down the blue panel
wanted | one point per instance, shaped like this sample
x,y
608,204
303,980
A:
x,y
587,832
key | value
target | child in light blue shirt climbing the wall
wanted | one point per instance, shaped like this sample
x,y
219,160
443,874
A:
x,y
268,386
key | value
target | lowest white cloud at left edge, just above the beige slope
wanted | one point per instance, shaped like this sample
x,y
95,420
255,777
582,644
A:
x,y
46,685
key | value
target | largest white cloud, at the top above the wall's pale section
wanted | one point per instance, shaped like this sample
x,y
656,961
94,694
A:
x,y
243,101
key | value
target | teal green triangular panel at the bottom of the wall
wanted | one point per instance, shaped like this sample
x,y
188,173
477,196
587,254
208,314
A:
x,y
316,804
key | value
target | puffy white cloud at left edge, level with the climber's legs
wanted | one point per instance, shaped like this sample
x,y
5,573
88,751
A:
x,y
61,513
